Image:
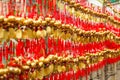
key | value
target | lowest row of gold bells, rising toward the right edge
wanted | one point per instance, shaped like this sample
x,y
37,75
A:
x,y
54,64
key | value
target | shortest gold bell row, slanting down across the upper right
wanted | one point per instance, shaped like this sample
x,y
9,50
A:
x,y
87,14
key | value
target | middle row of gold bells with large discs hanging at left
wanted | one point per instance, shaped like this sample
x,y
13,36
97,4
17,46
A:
x,y
30,29
